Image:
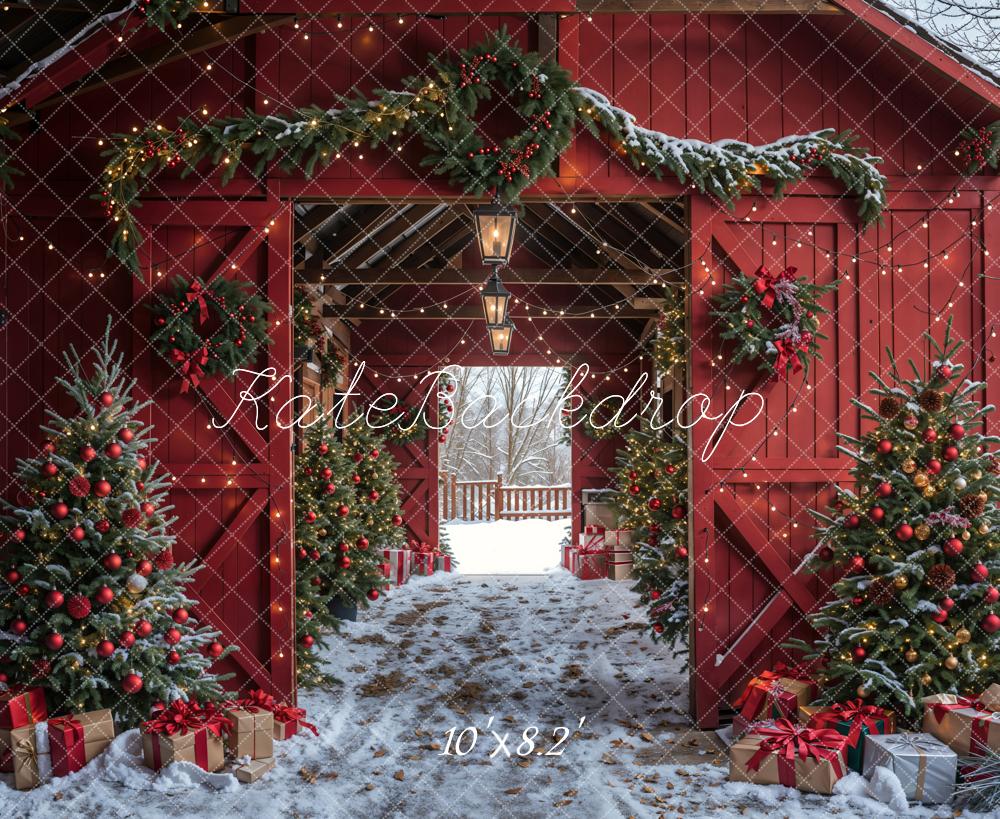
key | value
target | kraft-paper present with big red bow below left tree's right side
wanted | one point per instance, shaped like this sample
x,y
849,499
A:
x,y
186,731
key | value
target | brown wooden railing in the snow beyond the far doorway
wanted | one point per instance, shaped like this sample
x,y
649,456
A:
x,y
491,500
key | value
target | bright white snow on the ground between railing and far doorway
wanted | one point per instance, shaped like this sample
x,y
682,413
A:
x,y
507,546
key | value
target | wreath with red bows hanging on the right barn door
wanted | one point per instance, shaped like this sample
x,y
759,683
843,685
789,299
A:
x,y
773,318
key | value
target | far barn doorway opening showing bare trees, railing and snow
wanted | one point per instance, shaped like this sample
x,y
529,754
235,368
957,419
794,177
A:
x,y
505,471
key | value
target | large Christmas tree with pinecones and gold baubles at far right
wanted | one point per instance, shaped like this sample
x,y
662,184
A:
x,y
914,609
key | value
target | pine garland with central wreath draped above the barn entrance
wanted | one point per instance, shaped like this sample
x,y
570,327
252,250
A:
x,y
440,109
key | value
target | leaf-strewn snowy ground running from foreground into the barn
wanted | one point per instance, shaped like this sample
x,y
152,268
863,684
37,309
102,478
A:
x,y
454,650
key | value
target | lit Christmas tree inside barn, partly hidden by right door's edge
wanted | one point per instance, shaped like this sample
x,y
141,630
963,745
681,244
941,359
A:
x,y
651,500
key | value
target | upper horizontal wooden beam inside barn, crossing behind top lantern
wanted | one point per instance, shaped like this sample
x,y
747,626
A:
x,y
463,277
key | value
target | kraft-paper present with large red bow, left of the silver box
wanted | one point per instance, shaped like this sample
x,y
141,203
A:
x,y
809,759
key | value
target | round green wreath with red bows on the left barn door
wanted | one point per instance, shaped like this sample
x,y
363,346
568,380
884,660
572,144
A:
x,y
210,328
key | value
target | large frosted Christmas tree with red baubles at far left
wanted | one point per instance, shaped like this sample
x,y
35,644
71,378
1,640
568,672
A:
x,y
95,608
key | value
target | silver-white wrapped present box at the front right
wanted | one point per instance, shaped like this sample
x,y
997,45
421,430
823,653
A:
x,y
926,767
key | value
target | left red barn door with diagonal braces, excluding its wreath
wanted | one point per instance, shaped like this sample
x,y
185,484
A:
x,y
233,486
